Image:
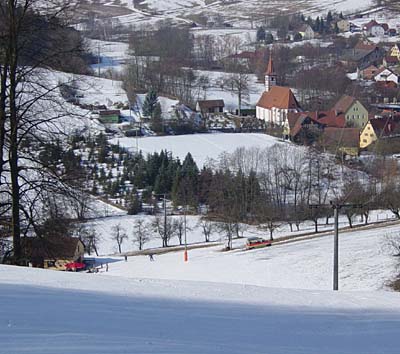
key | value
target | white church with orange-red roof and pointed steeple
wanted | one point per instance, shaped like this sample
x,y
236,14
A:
x,y
276,101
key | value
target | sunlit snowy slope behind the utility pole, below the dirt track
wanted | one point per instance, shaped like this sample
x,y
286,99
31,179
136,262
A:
x,y
365,263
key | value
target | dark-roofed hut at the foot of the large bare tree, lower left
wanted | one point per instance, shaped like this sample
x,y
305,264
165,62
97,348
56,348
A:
x,y
52,252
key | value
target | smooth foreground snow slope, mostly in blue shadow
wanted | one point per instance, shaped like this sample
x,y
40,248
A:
x,y
44,312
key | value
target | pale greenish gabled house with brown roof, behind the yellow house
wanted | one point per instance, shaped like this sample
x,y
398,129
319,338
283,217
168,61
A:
x,y
356,115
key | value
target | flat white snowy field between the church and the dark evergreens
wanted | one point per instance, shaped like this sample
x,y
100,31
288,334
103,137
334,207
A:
x,y
203,147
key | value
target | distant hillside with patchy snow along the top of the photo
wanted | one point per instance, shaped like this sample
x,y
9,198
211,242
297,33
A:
x,y
240,13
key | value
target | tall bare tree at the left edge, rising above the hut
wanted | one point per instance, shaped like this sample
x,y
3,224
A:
x,y
29,101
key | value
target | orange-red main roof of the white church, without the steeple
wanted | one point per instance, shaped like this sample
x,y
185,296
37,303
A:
x,y
278,97
